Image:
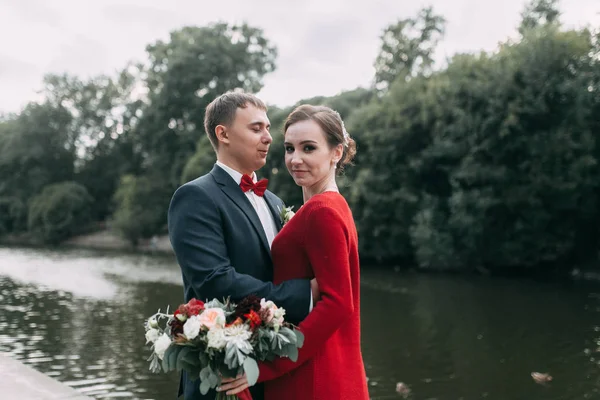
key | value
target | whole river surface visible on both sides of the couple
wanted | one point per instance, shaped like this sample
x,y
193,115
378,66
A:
x,y
78,317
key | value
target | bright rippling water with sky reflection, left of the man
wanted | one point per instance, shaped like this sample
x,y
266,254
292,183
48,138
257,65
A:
x,y
78,317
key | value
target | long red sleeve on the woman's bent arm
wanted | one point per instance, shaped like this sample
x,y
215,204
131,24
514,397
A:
x,y
327,246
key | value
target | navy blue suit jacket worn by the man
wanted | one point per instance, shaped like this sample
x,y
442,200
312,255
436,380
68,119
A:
x,y
222,250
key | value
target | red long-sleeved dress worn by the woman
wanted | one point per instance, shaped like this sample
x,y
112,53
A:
x,y
321,241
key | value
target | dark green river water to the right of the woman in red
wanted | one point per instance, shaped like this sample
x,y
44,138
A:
x,y
480,338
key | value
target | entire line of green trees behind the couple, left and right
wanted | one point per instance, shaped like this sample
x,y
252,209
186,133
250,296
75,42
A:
x,y
488,162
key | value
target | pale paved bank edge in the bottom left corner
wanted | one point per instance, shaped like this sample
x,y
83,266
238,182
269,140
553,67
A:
x,y
20,382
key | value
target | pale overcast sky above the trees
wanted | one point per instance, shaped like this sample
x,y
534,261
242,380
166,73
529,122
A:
x,y
325,46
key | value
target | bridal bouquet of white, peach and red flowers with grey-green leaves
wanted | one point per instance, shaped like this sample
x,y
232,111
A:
x,y
220,339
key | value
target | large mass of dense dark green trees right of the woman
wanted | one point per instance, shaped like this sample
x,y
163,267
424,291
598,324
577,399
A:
x,y
492,162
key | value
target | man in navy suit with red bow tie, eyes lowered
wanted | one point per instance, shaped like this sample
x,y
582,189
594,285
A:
x,y
222,224
